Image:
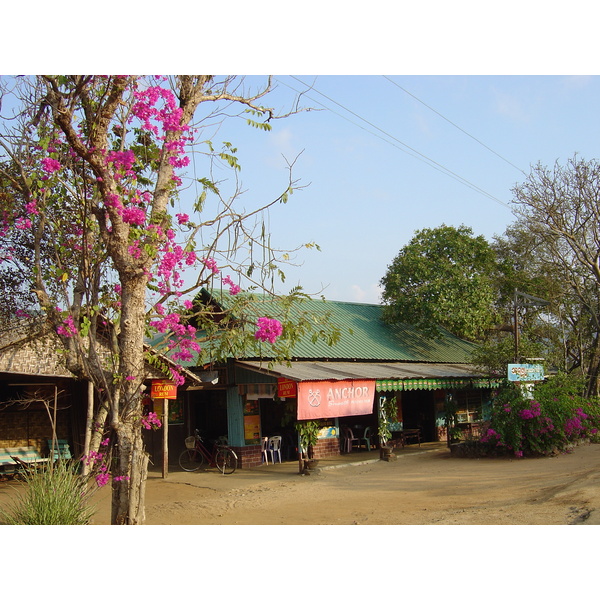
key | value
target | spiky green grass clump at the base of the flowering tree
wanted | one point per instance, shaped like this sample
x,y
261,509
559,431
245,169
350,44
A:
x,y
54,495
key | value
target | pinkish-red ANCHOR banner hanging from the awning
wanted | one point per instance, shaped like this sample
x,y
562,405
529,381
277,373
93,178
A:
x,y
326,399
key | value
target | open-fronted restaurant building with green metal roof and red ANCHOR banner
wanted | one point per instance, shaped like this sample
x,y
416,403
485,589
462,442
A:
x,y
250,397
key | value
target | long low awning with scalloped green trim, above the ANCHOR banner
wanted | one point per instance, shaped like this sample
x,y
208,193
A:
x,y
389,376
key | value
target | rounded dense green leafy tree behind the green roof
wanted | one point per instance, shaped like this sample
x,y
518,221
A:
x,y
442,277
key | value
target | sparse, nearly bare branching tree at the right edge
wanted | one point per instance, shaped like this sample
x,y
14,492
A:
x,y
560,207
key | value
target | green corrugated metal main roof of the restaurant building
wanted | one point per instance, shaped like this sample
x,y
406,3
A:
x,y
364,336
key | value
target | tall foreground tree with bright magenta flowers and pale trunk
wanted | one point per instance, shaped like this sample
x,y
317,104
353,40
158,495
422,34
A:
x,y
94,222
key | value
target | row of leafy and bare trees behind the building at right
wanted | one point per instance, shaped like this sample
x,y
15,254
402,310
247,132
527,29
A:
x,y
542,276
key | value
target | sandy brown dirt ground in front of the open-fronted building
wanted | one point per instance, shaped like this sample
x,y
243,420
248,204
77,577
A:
x,y
422,487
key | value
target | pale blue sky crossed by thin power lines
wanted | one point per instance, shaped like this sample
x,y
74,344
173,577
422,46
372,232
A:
x,y
385,156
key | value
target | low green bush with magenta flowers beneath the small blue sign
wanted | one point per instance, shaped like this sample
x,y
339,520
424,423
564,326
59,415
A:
x,y
553,420
